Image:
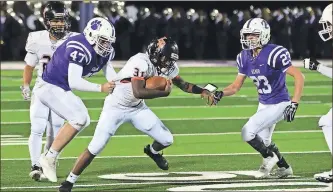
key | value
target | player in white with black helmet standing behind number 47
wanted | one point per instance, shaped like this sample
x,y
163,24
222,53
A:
x,y
40,47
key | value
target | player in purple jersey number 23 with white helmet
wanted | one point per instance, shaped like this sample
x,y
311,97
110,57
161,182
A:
x,y
267,65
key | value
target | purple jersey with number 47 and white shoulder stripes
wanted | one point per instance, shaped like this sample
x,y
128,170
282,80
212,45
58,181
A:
x,y
75,50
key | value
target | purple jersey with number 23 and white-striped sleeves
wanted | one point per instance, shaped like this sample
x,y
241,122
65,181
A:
x,y
268,72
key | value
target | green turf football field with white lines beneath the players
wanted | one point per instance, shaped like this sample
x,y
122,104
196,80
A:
x,y
208,152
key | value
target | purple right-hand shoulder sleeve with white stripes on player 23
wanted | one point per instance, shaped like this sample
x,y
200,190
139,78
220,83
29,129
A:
x,y
279,58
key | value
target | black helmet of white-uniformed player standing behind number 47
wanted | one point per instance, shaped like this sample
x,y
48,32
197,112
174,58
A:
x,y
56,19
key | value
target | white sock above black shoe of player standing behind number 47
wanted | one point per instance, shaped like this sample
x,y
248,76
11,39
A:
x,y
35,148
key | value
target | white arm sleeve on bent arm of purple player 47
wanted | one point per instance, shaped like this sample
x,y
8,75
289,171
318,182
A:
x,y
76,81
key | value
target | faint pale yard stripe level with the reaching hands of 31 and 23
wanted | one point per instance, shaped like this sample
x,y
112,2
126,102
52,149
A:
x,y
249,97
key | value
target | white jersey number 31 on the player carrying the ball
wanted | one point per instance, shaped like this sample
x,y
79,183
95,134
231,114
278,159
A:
x,y
138,66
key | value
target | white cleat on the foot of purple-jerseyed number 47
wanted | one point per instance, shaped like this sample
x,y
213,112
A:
x,y
49,167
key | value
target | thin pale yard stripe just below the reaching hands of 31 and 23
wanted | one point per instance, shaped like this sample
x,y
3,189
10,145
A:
x,y
177,107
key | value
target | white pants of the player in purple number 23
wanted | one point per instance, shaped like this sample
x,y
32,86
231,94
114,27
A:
x,y
263,122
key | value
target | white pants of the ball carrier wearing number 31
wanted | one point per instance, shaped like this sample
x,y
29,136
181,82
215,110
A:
x,y
141,117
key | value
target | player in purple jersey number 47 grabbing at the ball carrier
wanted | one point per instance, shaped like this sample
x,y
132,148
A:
x,y
78,57
